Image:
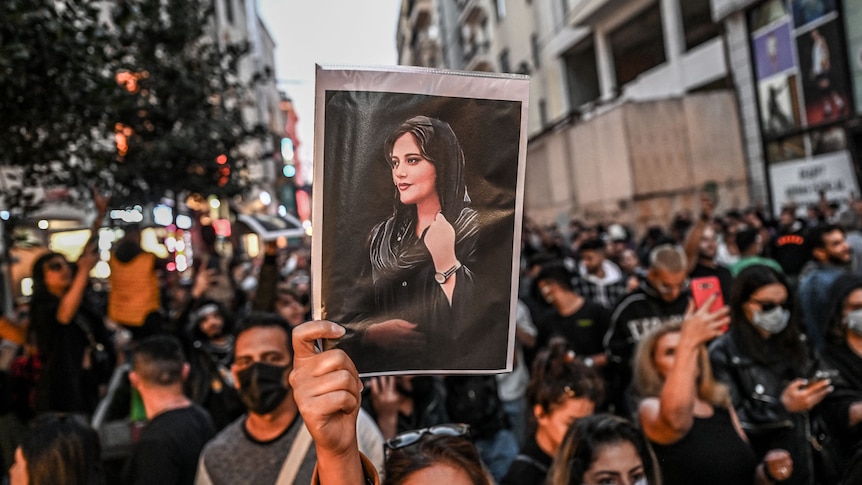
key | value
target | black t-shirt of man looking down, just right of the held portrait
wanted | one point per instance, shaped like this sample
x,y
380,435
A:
x,y
585,329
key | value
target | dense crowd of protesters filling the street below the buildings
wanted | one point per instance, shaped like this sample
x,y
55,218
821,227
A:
x,y
624,373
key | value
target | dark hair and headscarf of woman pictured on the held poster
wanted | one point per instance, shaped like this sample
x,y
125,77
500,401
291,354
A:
x,y
439,145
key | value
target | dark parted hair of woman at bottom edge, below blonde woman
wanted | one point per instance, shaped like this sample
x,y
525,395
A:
x,y
587,436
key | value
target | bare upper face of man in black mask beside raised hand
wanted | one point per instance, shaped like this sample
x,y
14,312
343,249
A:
x,y
261,344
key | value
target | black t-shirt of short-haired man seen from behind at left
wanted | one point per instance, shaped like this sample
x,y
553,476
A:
x,y
168,449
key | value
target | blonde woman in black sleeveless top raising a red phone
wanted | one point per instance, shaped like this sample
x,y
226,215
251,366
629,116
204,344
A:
x,y
687,416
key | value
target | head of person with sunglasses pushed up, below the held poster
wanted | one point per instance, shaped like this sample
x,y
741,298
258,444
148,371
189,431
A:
x,y
437,454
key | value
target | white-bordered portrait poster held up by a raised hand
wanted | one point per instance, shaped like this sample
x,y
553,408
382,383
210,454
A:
x,y
418,195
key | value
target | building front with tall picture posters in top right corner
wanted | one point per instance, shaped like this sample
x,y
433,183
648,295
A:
x,y
797,69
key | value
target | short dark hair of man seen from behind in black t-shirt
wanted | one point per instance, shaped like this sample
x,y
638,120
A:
x,y
159,360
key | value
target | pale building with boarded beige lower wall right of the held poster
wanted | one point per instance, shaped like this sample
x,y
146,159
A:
x,y
632,108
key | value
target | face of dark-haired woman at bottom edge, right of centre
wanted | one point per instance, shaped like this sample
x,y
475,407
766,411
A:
x,y
616,464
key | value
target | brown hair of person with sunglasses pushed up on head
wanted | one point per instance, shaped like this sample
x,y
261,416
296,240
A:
x,y
455,451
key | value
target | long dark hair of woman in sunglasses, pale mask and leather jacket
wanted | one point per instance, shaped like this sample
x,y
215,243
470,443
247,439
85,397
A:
x,y
747,282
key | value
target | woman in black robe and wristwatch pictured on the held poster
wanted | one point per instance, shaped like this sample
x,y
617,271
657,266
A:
x,y
420,254
